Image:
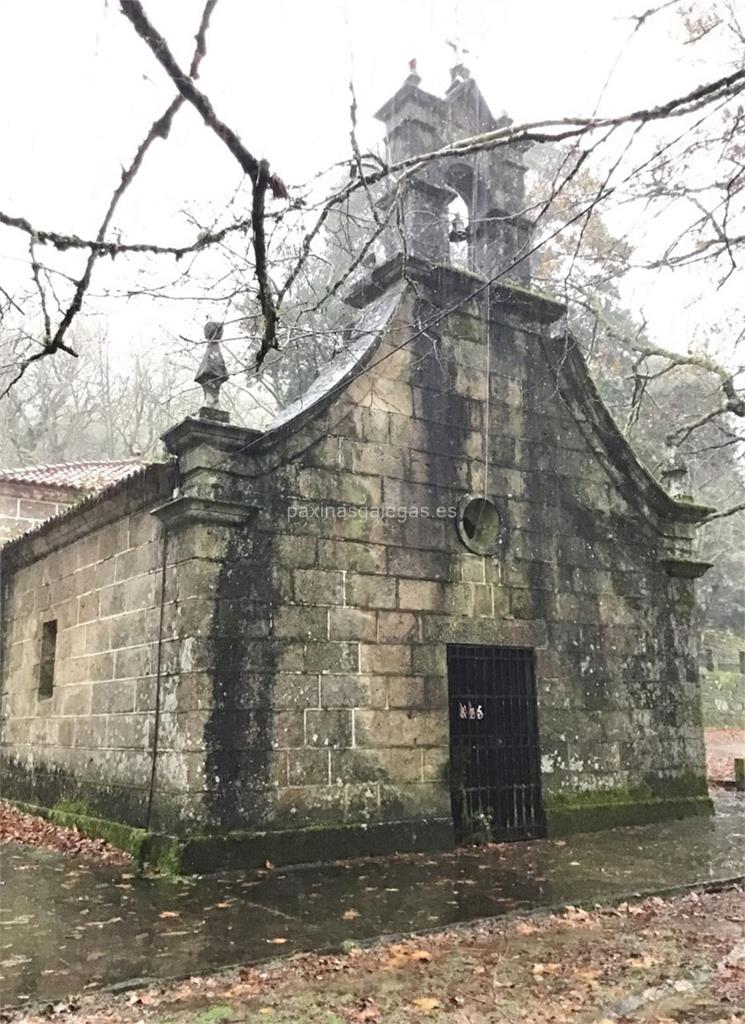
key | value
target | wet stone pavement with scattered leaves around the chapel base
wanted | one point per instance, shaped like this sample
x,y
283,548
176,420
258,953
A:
x,y
67,926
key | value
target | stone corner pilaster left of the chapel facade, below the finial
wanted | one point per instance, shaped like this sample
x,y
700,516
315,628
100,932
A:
x,y
204,523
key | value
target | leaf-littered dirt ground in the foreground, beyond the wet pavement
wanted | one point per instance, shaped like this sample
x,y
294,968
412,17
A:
x,y
661,962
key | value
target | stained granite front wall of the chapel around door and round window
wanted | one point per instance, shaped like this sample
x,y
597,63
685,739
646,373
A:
x,y
334,708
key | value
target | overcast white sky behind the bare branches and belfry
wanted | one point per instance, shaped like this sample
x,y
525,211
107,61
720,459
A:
x,y
80,91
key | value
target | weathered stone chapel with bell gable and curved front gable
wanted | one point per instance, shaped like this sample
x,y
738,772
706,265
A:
x,y
437,600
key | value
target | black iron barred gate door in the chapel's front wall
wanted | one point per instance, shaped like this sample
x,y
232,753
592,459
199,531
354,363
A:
x,y
495,757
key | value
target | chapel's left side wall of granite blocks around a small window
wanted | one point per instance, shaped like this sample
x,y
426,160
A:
x,y
98,575
